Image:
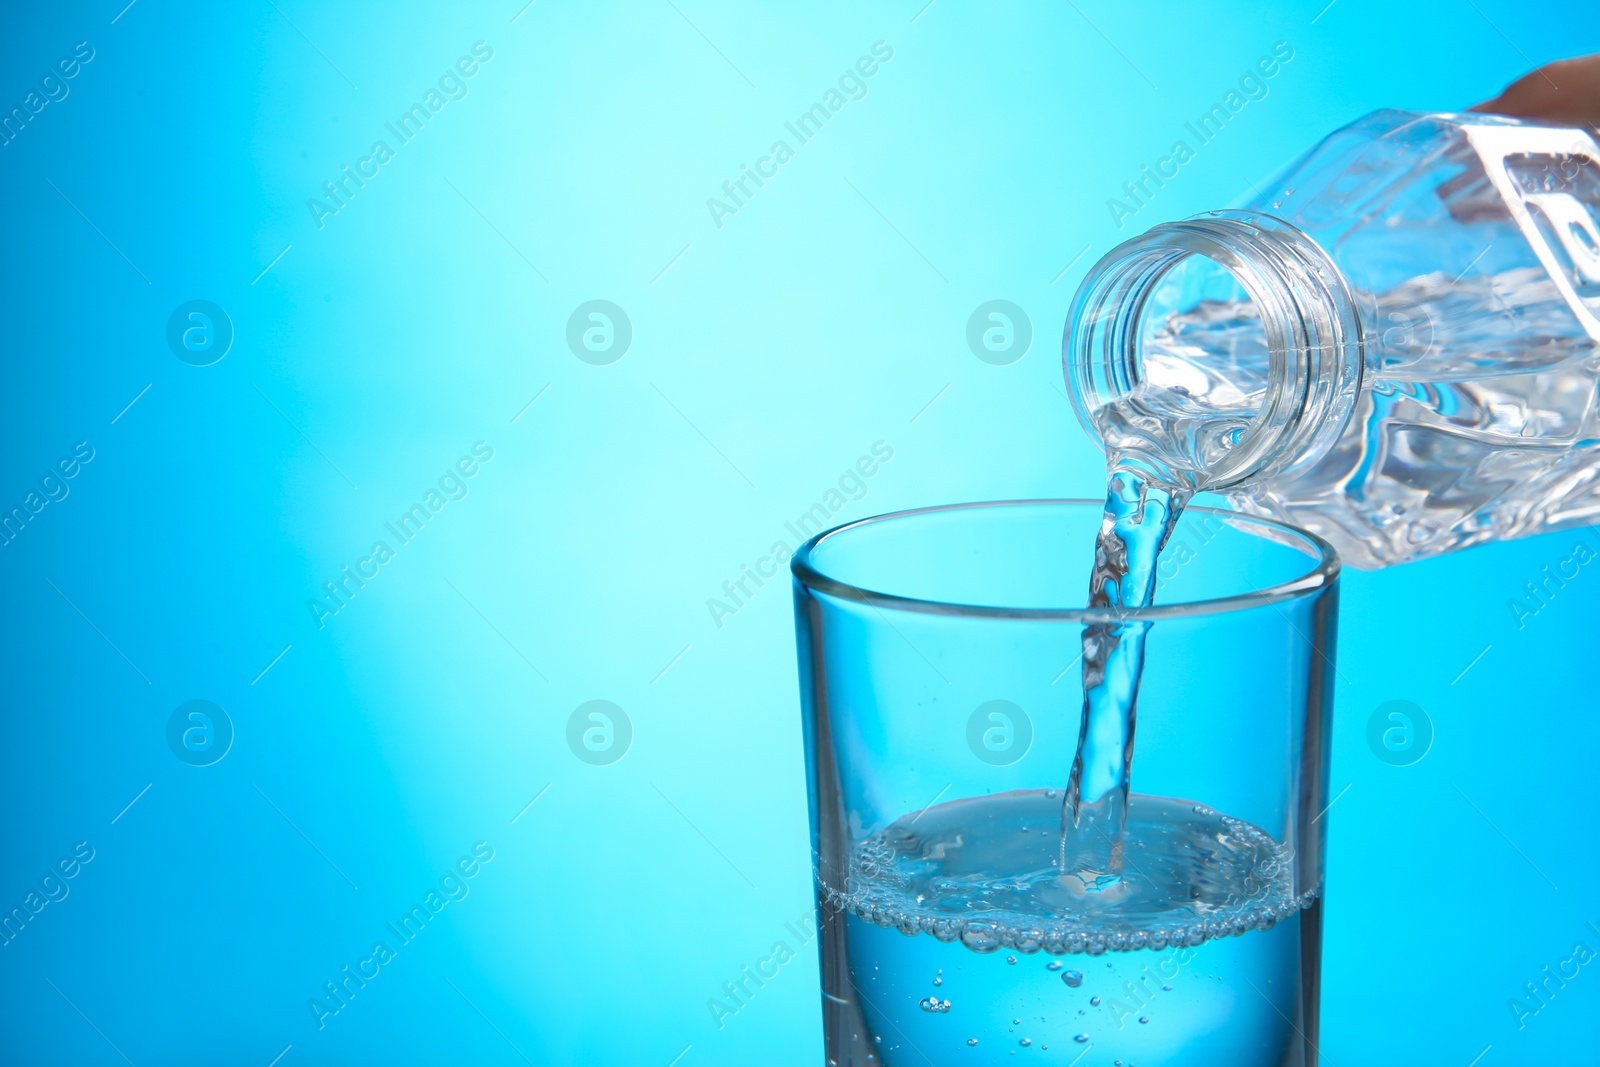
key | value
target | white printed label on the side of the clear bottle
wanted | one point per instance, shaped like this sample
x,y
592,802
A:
x,y
1551,185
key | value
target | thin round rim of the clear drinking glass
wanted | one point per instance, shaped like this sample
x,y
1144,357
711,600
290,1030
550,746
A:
x,y
1326,567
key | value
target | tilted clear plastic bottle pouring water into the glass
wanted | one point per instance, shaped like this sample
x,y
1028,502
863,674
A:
x,y
1394,348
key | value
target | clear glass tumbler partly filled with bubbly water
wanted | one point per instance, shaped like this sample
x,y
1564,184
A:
x,y
940,674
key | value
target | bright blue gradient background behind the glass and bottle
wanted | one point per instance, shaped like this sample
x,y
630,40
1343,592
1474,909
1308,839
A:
x,y
769,354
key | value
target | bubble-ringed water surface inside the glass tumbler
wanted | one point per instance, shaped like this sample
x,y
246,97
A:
x,y
1199,876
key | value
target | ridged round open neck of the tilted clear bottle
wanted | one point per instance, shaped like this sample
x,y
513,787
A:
x,y
1212,393
